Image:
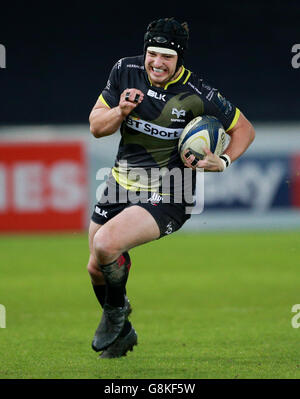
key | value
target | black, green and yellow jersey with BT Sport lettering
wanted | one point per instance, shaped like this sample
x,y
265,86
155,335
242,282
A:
x,y
149,135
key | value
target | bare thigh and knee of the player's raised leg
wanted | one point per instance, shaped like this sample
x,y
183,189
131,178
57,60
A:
x,y
131,227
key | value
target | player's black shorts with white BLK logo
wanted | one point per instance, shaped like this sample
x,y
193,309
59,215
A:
x,y
168,216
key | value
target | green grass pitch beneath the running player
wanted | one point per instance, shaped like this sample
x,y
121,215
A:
x,y
205,306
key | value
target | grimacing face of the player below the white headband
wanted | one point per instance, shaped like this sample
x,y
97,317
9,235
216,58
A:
x,y
160,67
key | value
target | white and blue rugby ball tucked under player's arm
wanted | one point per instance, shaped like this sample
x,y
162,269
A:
x,y
203,131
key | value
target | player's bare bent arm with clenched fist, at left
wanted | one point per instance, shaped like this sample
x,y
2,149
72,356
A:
x,y
105,121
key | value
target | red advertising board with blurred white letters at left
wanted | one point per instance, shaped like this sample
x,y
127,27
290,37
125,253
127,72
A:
x,y
43,186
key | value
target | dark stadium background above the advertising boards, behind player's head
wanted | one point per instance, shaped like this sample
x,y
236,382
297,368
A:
x,y
59,54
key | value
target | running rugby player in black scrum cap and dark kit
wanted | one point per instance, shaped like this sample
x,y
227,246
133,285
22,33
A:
x,y
150,98
